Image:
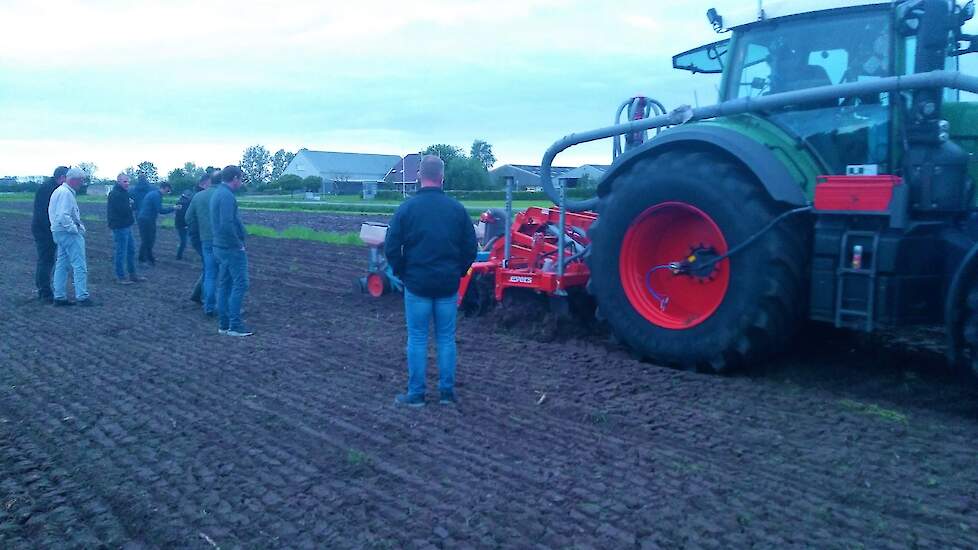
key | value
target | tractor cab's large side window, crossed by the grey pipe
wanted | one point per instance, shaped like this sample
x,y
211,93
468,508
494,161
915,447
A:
x,y
798,53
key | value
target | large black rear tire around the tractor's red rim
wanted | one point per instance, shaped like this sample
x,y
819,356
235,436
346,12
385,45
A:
x,y
765,297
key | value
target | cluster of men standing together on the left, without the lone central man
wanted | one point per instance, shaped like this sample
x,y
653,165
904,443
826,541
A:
x,y
208,216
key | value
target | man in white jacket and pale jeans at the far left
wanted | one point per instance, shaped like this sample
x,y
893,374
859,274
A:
x,y
69,234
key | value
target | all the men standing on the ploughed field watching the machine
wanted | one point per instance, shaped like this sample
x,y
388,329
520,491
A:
x,y
430,245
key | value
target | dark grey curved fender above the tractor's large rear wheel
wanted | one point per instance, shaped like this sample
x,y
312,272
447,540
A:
x,y
754,156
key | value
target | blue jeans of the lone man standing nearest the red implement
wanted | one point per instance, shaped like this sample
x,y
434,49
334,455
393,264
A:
x,y
419,312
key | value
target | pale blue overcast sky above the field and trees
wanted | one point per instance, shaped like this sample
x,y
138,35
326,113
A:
x,y
117,82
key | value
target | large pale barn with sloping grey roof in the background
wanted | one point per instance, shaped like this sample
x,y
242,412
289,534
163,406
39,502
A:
x,y
342,173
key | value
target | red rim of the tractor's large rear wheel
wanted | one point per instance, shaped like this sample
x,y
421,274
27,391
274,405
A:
x,y
662,234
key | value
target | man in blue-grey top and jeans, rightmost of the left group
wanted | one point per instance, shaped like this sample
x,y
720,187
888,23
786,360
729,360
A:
x,y
229,251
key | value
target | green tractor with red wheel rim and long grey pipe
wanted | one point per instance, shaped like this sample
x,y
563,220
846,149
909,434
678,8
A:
x,y
833,181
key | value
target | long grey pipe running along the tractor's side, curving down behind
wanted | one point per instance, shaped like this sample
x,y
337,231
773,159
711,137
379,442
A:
x,y
934,79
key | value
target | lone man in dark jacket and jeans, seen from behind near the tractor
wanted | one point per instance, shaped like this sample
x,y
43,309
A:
x,y
430,245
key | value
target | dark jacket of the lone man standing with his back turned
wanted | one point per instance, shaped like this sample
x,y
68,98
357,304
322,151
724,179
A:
x,y
431,243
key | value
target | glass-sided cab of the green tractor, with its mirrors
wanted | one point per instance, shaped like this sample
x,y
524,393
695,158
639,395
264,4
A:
x,y
785,50
